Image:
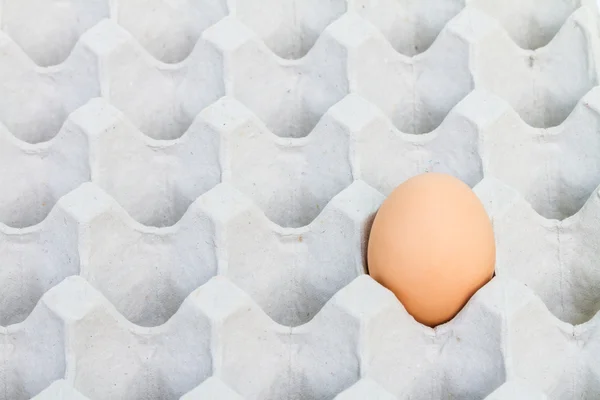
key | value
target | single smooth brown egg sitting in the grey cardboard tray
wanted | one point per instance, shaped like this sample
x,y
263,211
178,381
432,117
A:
x,y
432,244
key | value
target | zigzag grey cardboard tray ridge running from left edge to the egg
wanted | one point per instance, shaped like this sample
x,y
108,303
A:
x,y
89,233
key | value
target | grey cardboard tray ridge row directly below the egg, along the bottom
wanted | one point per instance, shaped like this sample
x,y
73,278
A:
x,y
363,331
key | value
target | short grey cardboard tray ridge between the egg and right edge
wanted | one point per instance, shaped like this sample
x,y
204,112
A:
x,y
550,256
